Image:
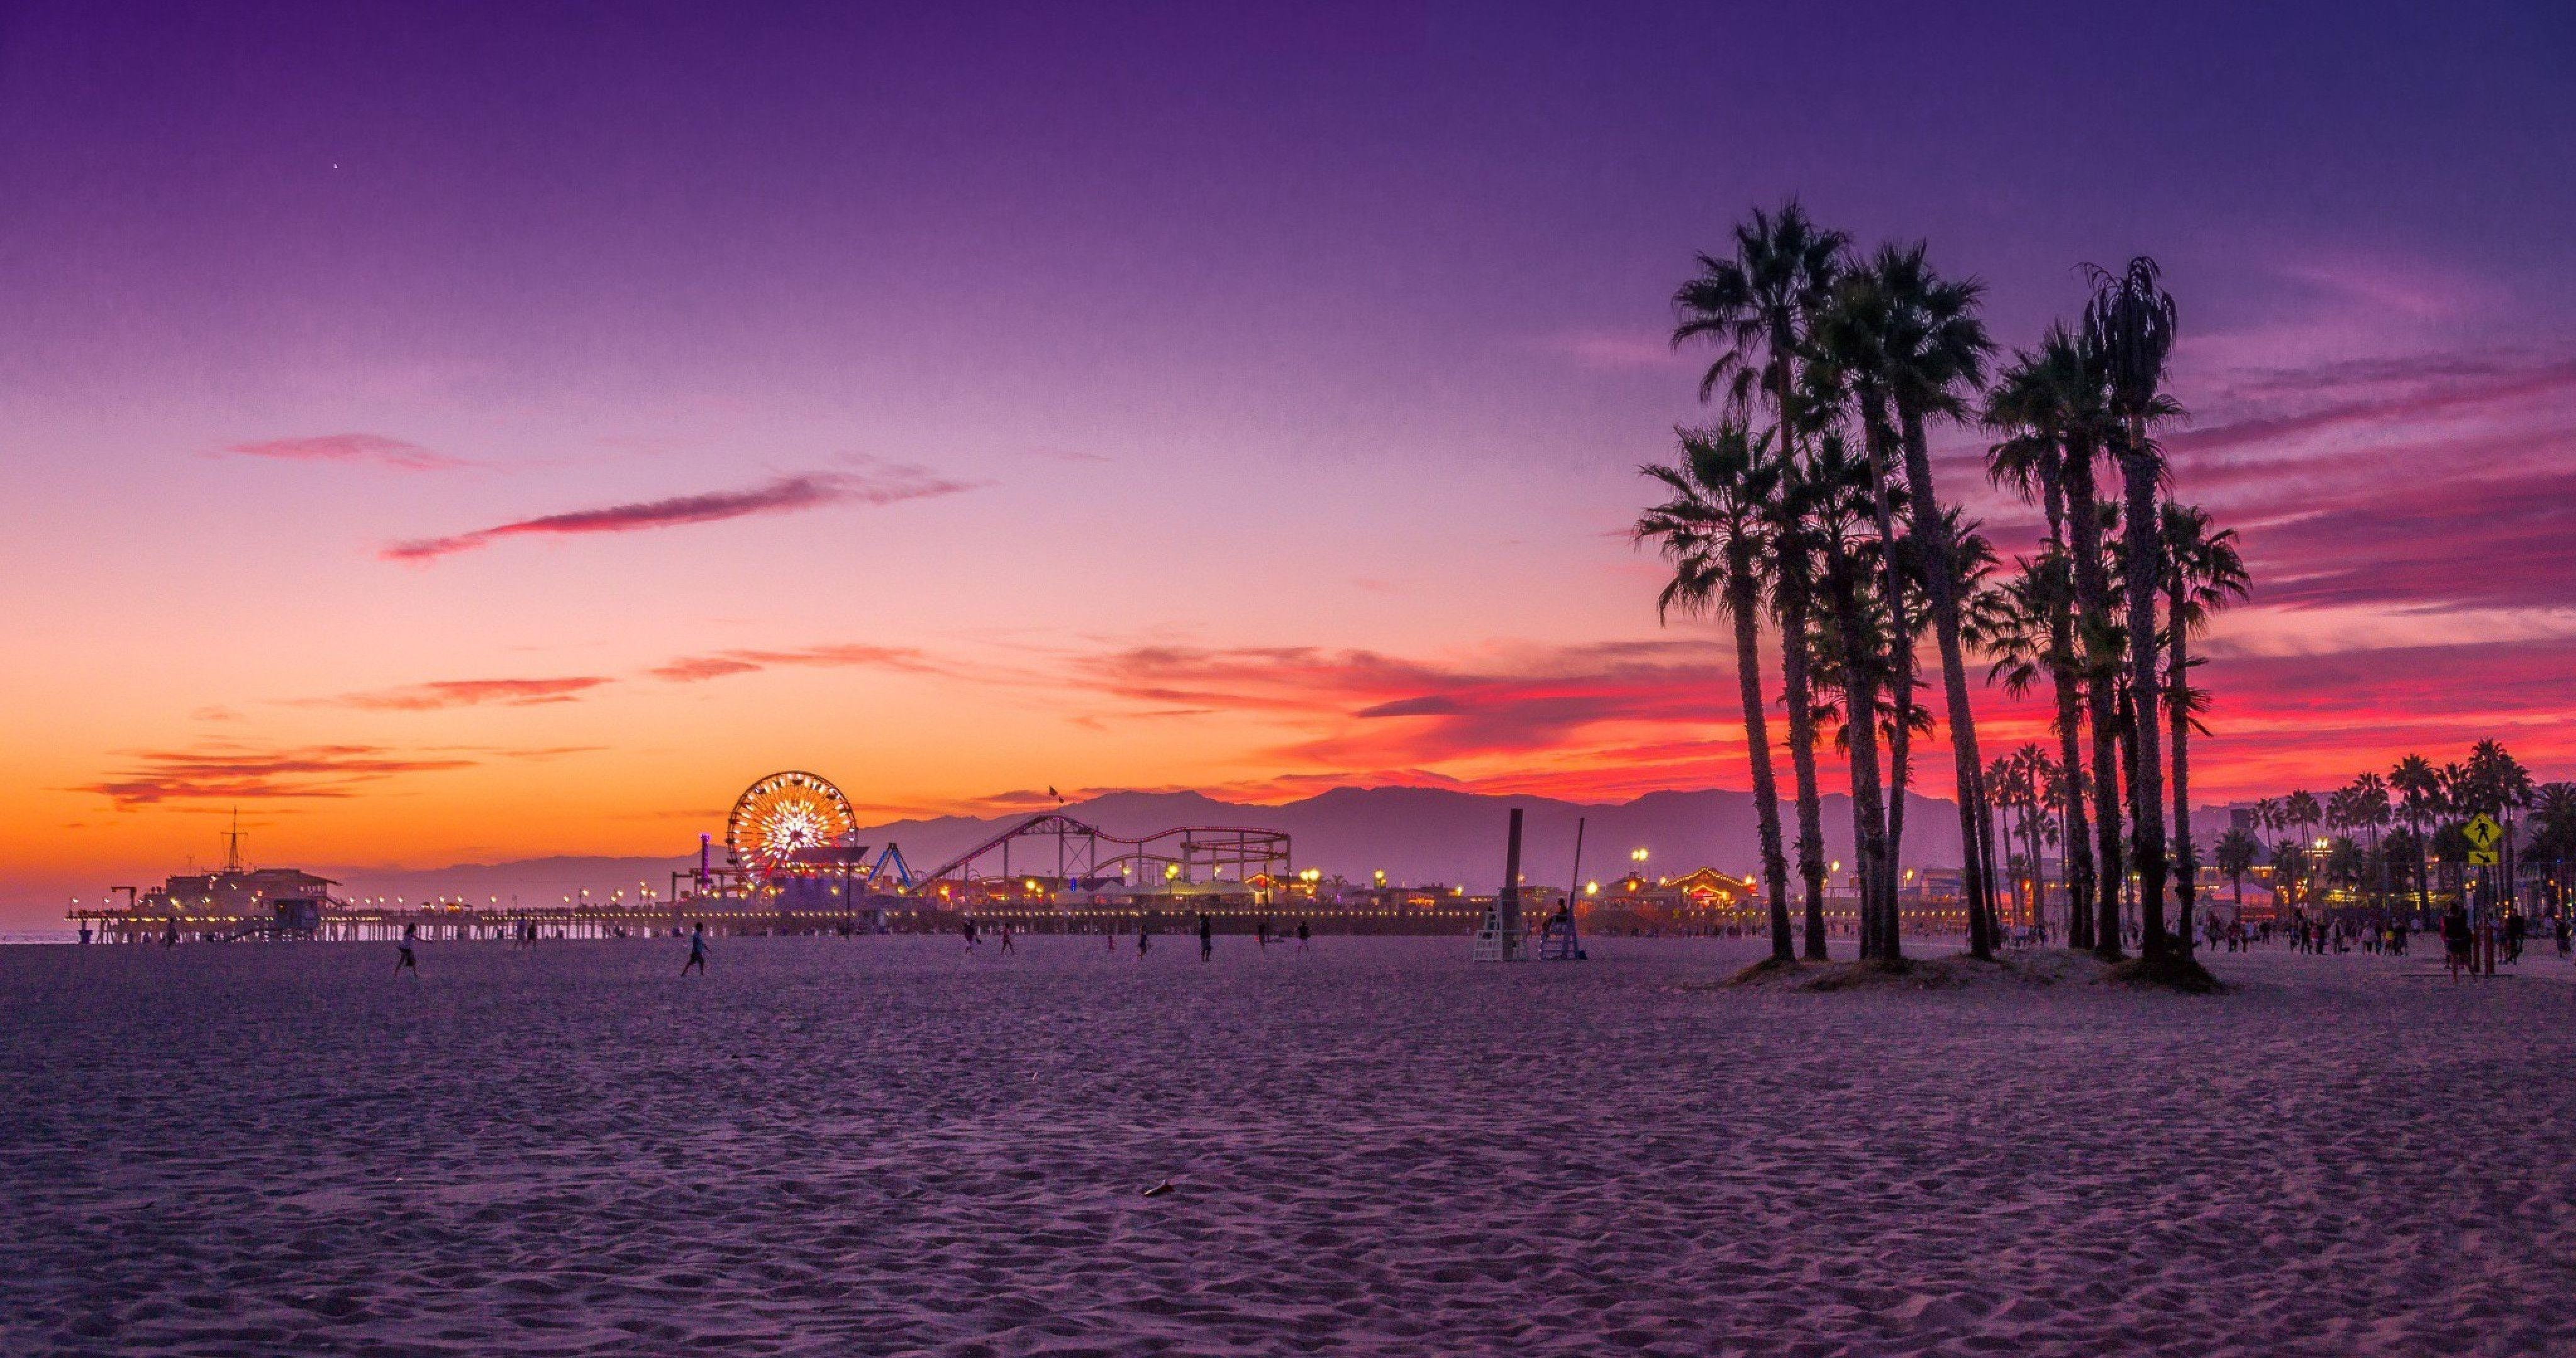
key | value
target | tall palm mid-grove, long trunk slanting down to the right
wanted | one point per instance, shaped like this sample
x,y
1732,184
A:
x,y
1926,352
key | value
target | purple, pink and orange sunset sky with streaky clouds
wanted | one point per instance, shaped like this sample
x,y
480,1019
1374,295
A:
x,y
493,432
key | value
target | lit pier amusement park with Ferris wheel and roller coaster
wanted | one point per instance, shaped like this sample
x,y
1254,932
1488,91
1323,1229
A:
x,y
795,865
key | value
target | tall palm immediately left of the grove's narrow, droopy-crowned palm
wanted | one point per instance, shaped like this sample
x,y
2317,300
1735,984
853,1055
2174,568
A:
x,y
2029,408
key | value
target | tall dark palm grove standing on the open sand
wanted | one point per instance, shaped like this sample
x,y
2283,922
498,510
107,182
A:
x,y
1807,512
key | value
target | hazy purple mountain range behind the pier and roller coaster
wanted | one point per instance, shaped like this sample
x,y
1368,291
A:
x,y
1418,836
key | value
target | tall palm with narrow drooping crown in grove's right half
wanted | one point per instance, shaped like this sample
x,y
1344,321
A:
x,y
2132,329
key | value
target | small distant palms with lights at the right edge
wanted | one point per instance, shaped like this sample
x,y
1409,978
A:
x,y
2387,836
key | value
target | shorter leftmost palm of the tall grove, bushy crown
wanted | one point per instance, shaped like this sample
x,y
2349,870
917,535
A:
x,y
1712,532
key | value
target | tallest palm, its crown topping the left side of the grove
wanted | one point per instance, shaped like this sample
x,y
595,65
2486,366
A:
x,y
1758,308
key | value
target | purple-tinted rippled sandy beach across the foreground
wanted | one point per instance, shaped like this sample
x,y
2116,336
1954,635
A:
x,y
885,1145
